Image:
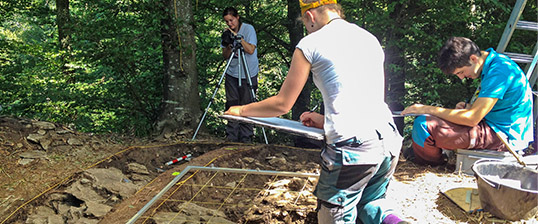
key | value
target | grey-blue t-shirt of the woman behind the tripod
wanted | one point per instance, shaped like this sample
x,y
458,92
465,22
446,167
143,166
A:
x,y
249,35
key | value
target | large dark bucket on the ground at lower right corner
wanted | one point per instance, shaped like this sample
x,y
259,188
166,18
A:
x,y
507,190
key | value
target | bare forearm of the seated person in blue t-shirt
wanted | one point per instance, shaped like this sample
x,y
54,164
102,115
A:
x,y
468,117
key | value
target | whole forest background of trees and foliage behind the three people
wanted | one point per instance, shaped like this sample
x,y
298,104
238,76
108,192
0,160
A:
x,y
150,68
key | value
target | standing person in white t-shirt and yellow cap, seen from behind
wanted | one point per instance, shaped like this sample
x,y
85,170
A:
x,y
362,144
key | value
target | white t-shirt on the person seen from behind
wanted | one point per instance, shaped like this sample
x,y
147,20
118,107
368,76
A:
x,y
347,67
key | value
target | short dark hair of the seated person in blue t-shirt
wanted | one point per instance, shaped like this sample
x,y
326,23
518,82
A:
x,y
456,53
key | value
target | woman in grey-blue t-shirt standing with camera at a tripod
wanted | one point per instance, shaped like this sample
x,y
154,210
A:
x,y
239,36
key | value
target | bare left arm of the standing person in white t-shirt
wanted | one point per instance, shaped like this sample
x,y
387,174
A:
x,y
286,97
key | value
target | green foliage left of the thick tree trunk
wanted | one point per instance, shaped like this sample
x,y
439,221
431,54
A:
x,y
110,80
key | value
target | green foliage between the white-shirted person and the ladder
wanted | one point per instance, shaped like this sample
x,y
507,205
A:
x,y
424,25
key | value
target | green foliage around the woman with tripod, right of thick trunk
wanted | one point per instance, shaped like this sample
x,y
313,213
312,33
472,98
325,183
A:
x,y
267,18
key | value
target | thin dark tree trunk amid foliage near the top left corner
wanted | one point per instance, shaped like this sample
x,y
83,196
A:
x,y
62,20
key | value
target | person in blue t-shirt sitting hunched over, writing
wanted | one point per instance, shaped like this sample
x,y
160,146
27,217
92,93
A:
x,y
502,109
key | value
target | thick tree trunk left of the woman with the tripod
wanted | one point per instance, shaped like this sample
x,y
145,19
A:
x,y
180,107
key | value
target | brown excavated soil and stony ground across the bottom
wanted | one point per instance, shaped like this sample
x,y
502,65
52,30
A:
x,y
52,174
